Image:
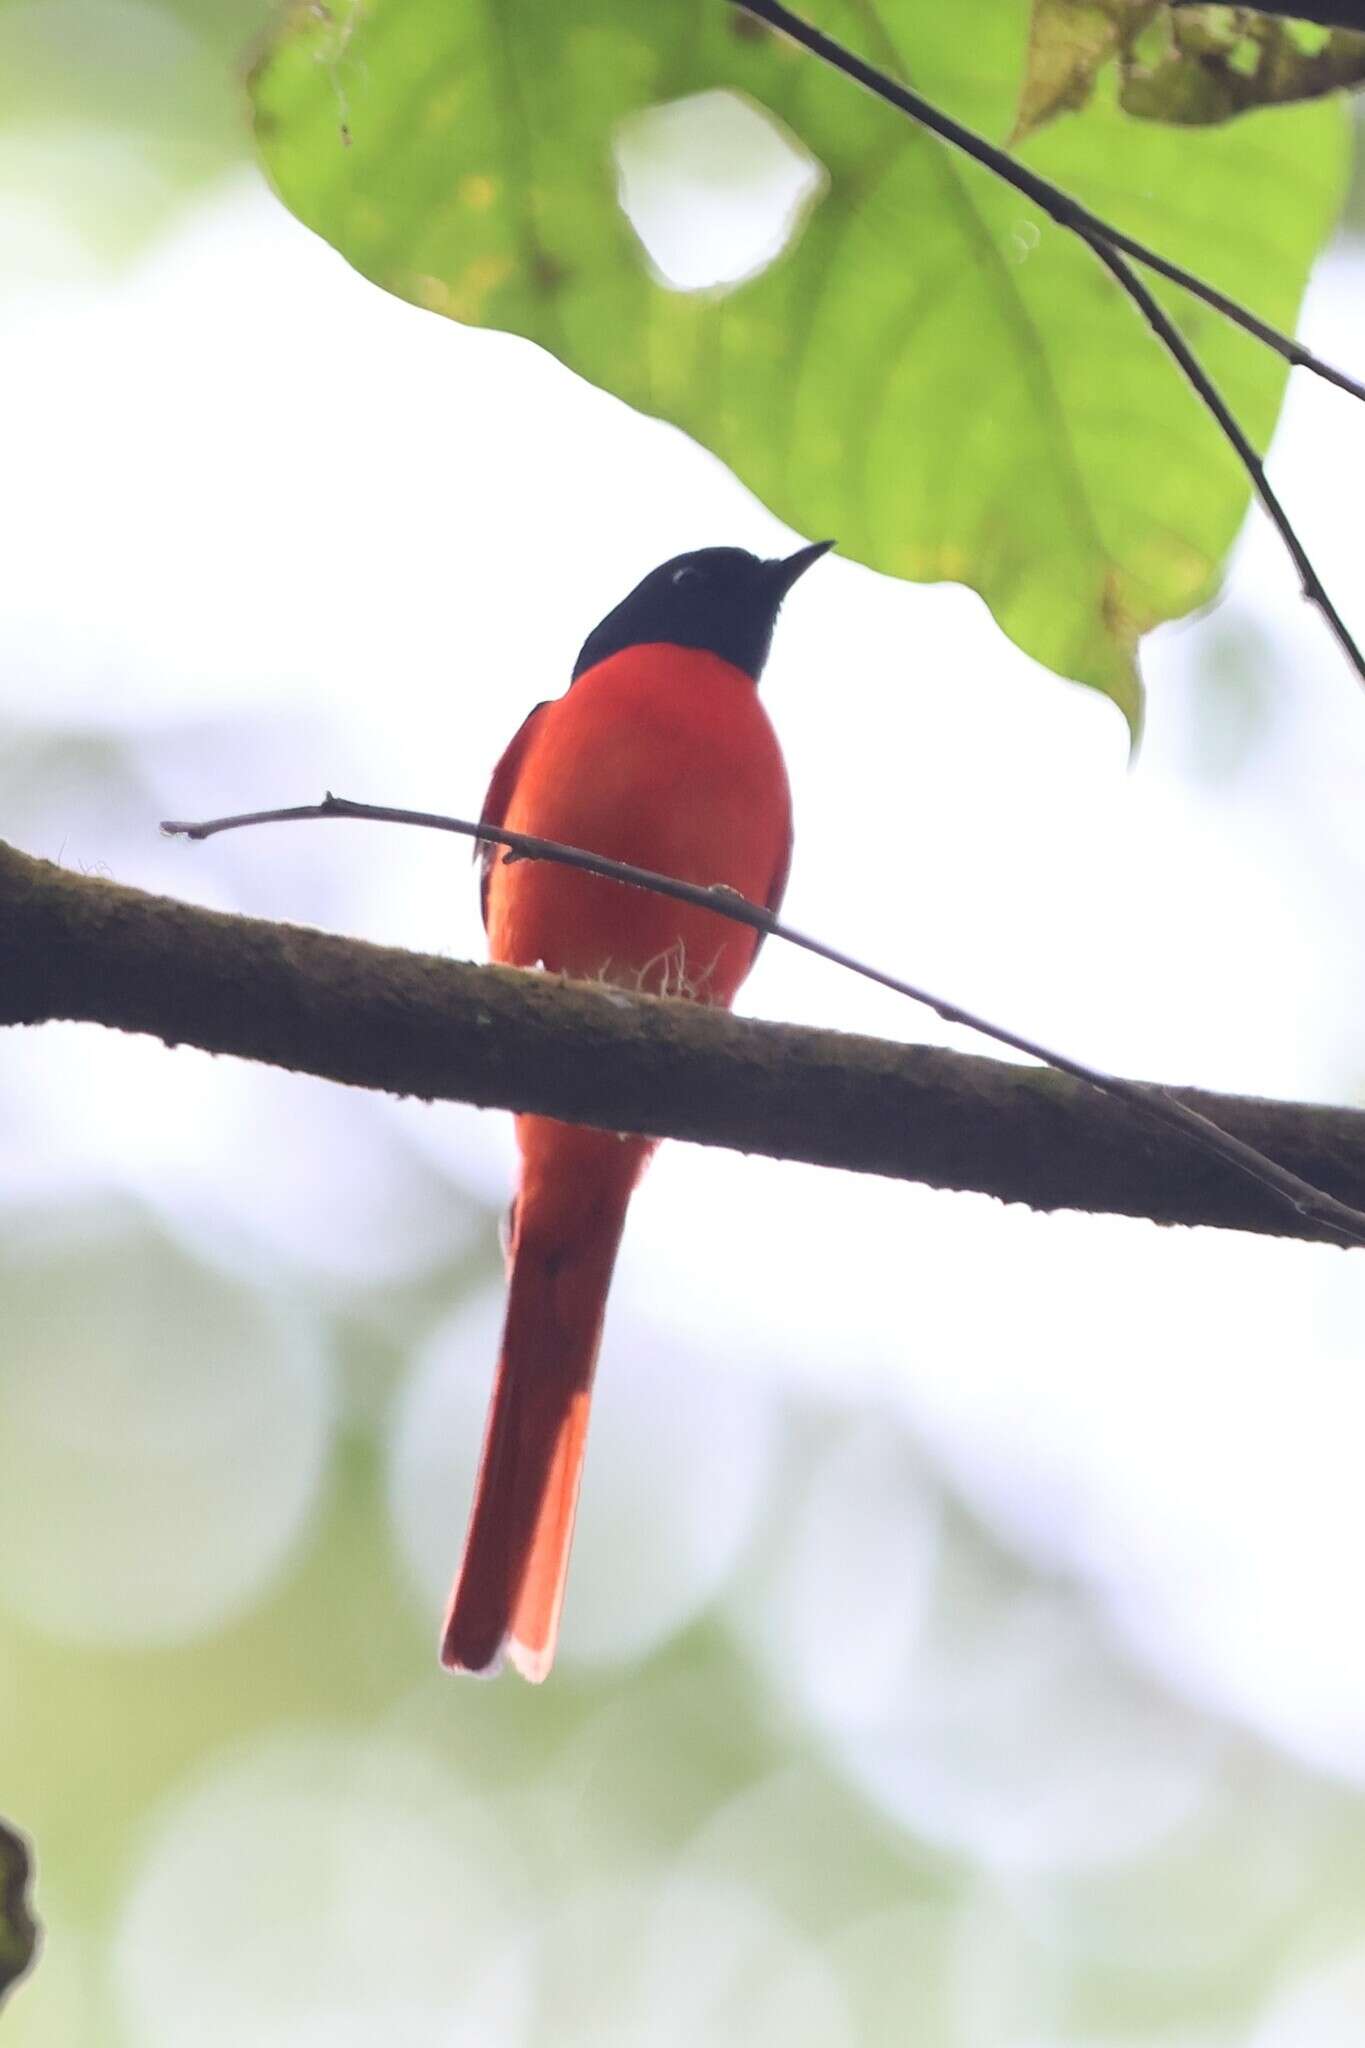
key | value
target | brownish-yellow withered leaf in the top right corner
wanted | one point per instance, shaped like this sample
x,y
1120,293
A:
x,y
1192,67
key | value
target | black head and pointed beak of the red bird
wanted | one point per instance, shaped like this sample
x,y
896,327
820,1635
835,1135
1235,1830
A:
x,y
717,599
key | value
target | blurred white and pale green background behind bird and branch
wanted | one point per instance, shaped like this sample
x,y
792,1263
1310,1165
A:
x,y
965,1635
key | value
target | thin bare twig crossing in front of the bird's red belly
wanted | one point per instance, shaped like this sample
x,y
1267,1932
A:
x,y
1155,1105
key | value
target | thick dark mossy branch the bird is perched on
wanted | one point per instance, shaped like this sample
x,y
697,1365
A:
x,y
85,949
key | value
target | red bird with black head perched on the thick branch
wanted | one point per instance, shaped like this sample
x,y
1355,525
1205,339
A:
x,y
658,755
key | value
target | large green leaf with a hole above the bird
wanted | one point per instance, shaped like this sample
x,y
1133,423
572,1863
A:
x,y
932,374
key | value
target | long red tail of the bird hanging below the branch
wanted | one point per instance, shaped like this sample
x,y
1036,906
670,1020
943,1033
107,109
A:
x,y
511,1586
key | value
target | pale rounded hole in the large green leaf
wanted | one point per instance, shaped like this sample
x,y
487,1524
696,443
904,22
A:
x,y
715,189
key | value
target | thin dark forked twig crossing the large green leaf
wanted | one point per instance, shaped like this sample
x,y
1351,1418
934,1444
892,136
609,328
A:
x,y
1112,247
